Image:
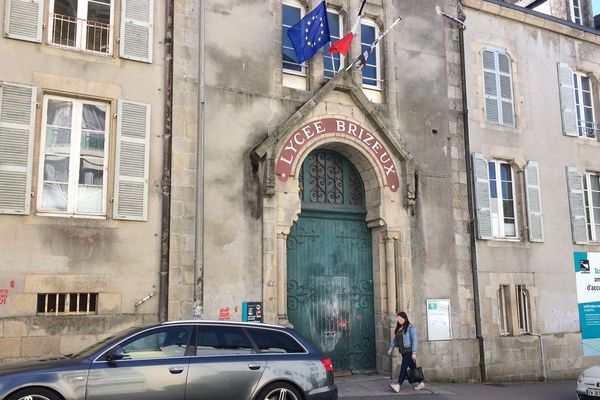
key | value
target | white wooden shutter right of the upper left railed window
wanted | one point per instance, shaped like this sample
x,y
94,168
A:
x,y
136,29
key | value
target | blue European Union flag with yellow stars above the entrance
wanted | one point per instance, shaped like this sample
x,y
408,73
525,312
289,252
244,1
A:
x,y
310,33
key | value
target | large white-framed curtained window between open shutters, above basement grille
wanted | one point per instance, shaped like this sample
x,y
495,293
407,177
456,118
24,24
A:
x,y
73,157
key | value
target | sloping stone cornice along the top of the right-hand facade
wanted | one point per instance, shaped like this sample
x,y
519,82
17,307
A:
x,y
534,19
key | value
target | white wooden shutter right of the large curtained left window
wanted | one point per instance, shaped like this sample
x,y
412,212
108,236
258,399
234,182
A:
x,y
131,171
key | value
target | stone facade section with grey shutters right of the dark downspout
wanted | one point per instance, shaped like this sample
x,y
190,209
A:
x,y
529,146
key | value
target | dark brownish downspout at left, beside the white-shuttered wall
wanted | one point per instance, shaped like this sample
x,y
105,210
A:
x,y
163,299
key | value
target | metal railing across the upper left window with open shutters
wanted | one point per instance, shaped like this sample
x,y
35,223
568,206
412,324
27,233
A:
x,y
80,33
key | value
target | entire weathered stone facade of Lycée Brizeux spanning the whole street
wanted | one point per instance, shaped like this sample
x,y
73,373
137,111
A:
x,y
324,200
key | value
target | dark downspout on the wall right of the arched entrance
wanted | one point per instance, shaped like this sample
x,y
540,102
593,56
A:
x,y
470,191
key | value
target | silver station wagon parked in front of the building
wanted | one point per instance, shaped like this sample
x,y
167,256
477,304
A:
x,y
181,360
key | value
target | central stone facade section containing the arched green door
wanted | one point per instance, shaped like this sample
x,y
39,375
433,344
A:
x,y
264,123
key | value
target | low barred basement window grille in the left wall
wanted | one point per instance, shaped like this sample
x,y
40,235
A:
x,y
67,303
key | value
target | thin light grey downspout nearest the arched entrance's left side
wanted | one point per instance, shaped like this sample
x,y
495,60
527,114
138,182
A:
x,y
199,232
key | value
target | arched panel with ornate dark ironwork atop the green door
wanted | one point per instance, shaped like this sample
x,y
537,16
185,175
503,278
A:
x,y
328,180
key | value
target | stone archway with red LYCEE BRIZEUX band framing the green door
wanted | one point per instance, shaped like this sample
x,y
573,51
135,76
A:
x,y
387,216
